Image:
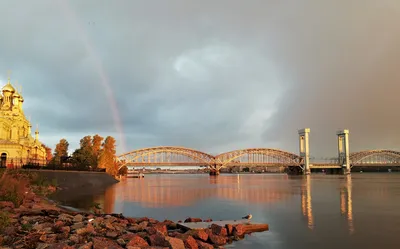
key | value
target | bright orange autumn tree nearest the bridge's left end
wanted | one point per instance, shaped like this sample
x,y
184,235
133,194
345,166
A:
x,y
107,158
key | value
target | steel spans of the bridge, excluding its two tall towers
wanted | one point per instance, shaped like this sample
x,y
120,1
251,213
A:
x,y
181,156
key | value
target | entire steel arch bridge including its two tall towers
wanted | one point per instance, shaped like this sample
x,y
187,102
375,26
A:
x,y
181,156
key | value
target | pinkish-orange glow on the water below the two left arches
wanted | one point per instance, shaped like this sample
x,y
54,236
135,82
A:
x,y
161,192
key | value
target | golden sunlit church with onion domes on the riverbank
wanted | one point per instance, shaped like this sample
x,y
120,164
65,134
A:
x,y
17,146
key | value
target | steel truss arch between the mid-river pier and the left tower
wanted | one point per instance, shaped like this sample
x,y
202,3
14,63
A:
x,y
257,156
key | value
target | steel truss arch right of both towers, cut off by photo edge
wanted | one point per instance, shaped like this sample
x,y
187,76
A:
x,y
375,157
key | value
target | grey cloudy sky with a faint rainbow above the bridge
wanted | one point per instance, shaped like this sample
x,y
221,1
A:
x,y
210,75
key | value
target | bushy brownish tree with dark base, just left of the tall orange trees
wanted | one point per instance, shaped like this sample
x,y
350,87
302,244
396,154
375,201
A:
x,y
83,156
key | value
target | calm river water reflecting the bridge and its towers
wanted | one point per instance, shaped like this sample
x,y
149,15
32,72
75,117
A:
x,y
317,211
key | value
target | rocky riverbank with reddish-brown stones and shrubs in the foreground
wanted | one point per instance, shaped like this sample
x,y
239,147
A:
x,y
29,220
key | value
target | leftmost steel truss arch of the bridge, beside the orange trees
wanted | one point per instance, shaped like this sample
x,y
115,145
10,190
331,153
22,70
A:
x,y
166,156
